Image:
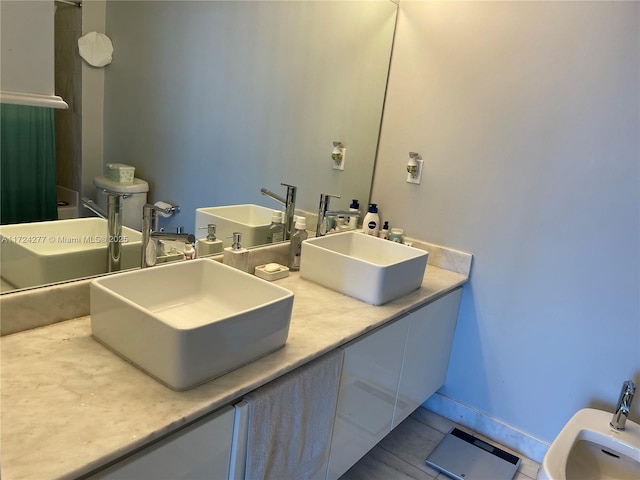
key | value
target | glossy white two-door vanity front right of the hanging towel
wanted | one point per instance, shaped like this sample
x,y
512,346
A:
x,y
387,374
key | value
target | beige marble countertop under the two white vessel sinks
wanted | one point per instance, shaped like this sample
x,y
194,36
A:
x,y
69,405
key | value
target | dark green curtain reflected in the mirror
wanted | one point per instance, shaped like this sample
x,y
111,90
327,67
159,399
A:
x,y
27,164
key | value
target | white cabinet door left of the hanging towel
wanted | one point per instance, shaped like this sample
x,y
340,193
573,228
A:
x,y
200,451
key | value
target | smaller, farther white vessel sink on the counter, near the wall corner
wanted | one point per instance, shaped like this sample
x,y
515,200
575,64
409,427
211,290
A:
x,y
368,268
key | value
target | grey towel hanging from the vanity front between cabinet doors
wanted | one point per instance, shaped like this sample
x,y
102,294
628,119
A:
x,y
290,422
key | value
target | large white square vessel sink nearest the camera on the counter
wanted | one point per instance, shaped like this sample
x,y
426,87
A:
x,y
189,322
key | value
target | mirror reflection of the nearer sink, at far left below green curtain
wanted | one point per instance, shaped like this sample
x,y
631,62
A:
x,y
46,252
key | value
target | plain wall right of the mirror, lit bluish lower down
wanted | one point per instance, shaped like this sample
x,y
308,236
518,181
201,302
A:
x,y
527,117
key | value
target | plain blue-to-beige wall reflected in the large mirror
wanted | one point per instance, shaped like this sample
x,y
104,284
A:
x,y
211,101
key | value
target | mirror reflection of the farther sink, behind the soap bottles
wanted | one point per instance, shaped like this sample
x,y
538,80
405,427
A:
x,y
252,221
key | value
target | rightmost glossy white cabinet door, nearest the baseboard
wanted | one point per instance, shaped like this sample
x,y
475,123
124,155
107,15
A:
x,y
427,353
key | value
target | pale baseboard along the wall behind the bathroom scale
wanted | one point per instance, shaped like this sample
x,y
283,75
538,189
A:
x,y
492,428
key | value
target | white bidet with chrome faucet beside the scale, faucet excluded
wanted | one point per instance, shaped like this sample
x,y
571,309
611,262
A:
x,y
587,448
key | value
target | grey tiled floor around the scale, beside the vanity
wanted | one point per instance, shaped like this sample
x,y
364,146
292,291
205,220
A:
x,y
401,454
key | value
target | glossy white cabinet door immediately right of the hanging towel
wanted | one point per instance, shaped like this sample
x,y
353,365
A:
x,y
367,395
